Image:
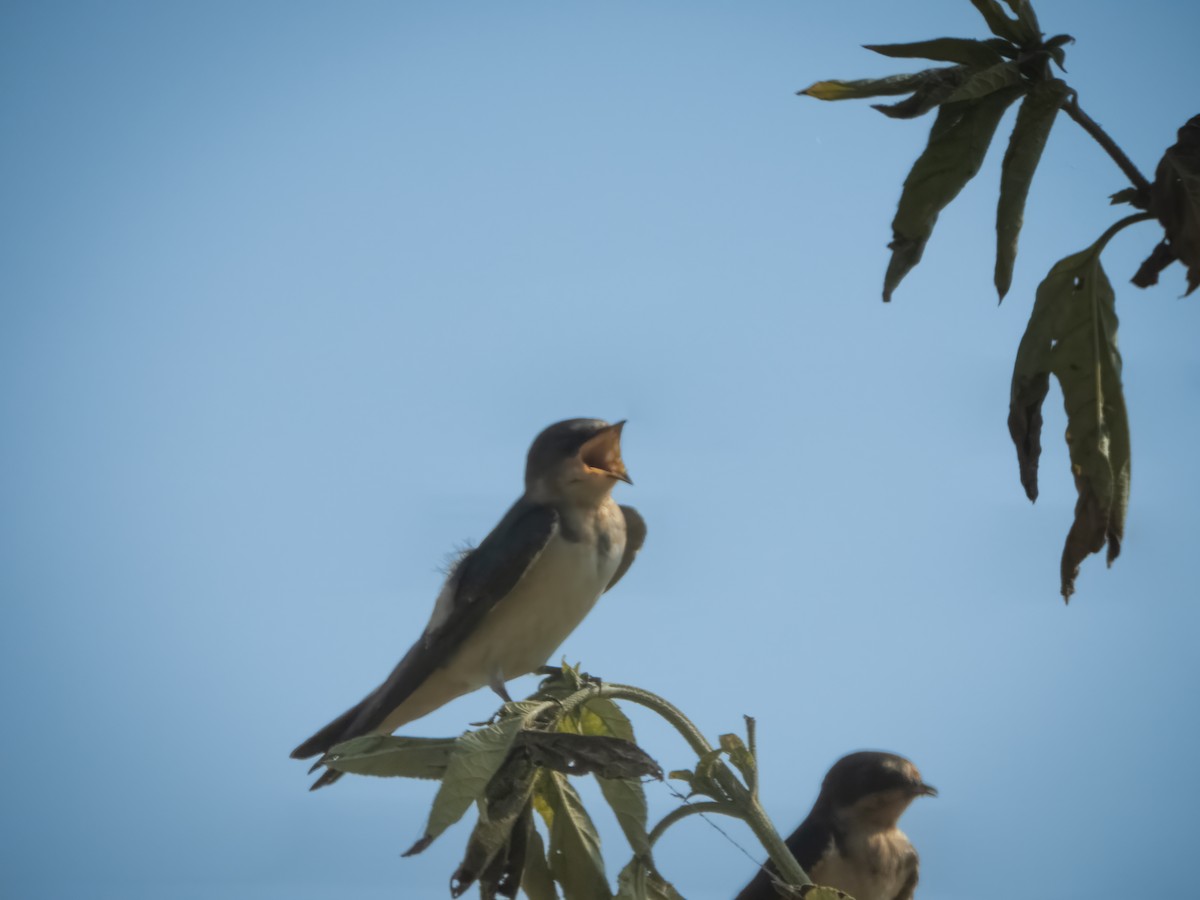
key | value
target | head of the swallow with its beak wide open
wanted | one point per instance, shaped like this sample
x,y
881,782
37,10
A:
x,y
578,459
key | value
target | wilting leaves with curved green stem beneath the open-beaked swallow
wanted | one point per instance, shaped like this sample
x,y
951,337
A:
x,y
518,770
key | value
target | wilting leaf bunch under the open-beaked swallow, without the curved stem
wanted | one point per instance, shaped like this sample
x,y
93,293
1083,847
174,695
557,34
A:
x,y
518,767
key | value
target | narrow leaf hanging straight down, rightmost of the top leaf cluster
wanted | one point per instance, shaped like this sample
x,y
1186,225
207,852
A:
x,y
1029,140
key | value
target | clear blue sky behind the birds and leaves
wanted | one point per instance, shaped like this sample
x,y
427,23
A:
x,y
287,290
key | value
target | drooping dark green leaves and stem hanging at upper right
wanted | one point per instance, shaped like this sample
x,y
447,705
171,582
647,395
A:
x,y
1073,329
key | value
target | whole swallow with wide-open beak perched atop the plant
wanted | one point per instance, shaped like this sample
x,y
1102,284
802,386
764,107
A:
x,y
508,604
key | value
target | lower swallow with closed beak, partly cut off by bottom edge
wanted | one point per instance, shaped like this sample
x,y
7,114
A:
x,y
850,841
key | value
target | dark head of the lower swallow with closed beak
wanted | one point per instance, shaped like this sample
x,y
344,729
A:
x,y
872,787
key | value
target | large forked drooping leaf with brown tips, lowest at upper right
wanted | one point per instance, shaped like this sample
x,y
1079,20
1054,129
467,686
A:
x,y
1073,335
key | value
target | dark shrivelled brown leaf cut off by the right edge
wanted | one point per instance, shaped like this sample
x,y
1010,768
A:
x,y
1175,201
